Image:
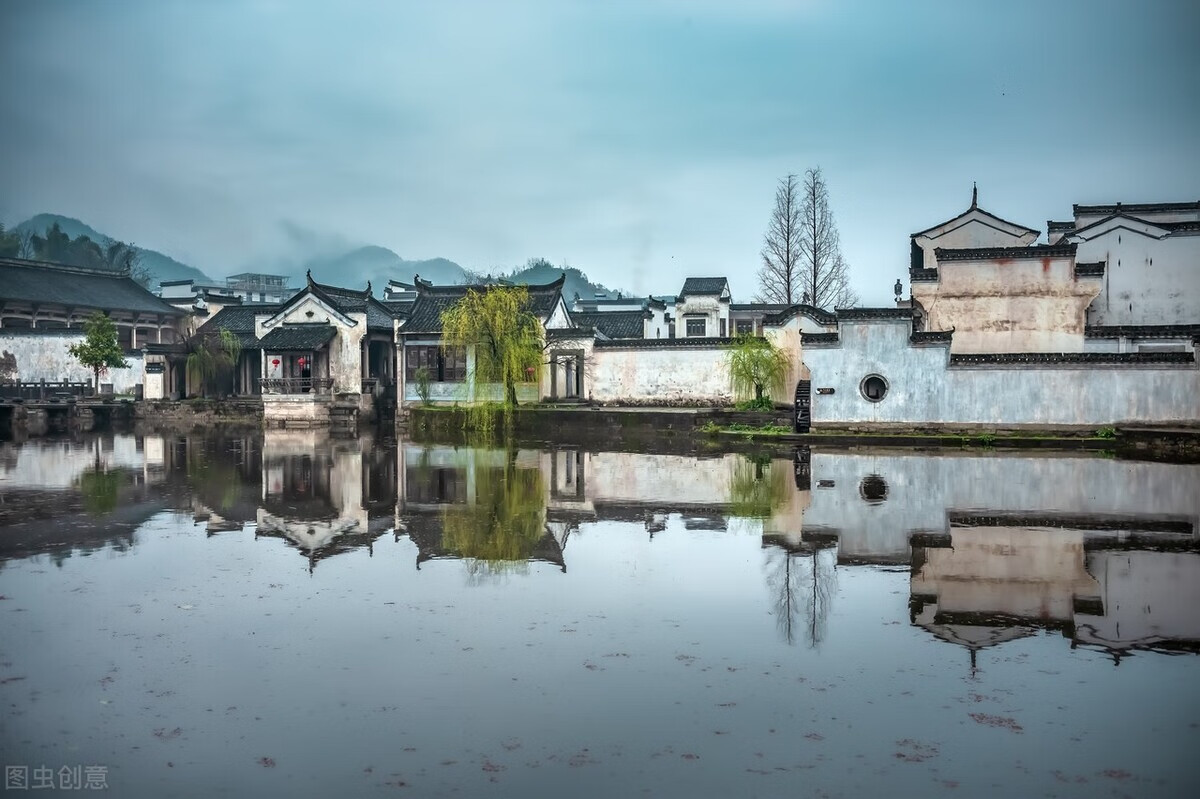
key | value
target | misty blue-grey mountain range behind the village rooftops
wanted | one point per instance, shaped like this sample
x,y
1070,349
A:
x,y
351,269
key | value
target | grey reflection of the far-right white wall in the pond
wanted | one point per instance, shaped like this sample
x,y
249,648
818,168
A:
x,y
1149,597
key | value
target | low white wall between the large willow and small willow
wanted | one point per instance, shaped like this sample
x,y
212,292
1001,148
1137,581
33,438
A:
x,y
661,375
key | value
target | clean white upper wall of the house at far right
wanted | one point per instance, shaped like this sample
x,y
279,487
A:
x,y
1148,281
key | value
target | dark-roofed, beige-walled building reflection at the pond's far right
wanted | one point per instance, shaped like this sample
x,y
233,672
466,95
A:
x,y
994,580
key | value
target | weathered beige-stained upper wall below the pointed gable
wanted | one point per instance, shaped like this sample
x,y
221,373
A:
x,y
1028,305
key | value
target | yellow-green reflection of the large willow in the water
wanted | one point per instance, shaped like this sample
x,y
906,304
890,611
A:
x,y
501,531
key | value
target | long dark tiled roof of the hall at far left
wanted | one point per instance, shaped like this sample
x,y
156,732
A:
x,y
35,281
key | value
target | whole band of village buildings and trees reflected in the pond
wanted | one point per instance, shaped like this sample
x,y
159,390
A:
x,y
998,548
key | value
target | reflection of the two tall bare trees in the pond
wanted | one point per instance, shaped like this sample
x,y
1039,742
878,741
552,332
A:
x,y
803,584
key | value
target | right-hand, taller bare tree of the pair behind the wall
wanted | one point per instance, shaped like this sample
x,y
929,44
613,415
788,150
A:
x,y
825,275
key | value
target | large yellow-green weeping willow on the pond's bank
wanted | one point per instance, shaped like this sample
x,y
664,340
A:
x,y
497,322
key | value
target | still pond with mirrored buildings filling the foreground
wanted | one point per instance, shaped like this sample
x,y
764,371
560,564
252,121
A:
x,y
293,616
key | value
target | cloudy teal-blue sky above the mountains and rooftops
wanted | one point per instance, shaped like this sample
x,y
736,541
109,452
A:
x,y
640,142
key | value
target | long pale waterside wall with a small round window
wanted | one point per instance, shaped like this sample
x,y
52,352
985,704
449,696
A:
x,y
922,389
